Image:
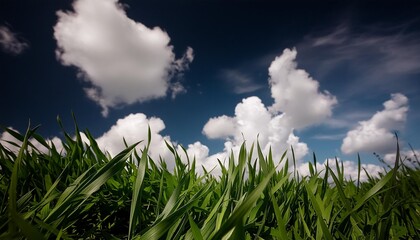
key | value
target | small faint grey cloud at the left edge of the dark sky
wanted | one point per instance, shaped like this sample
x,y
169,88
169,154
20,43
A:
x,y
11,42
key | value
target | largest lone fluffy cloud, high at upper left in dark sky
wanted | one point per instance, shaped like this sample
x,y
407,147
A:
x,y
124,61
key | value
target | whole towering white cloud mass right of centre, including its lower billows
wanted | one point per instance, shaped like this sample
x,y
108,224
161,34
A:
x,y
297,104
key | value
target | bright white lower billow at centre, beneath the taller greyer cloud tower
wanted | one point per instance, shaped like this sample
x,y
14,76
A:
x,y
253,121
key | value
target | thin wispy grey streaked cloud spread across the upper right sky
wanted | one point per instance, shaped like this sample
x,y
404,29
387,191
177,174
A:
x,y
375,57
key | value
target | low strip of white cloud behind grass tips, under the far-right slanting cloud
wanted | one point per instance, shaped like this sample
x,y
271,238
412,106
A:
x,y
350,169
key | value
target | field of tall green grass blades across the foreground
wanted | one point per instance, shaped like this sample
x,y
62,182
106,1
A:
x,y
85,194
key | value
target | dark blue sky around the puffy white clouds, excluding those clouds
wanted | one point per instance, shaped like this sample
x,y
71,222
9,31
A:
x,y
361,53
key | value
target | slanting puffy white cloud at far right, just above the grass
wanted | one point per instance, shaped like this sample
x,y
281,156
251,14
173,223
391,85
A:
x,y
376,134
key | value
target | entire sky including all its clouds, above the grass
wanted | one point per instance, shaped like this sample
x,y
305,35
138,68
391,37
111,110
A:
x,y
332,78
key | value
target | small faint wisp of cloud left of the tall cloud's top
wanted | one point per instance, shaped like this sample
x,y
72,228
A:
x,y
240,82
